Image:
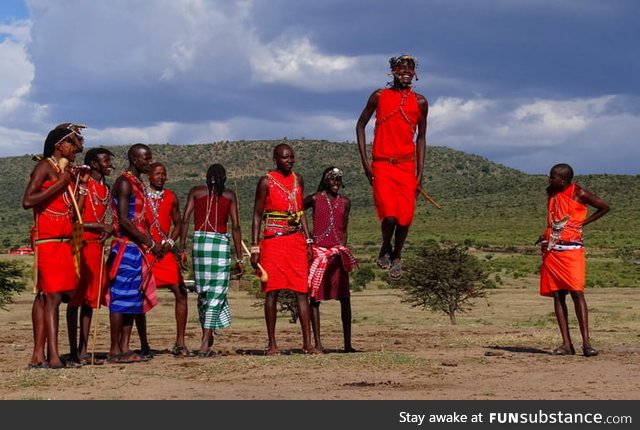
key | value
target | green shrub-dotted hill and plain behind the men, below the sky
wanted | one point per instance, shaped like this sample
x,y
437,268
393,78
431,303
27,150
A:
x,y
484,203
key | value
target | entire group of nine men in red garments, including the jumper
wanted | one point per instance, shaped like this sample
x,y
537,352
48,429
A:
x,y
313,264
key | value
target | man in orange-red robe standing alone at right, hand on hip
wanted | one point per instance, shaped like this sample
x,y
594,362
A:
x,y
563,269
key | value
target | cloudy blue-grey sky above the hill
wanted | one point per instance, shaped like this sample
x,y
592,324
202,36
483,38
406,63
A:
x,y
524,83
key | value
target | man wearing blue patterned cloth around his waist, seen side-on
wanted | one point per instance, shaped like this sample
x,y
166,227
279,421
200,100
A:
x,y
132,289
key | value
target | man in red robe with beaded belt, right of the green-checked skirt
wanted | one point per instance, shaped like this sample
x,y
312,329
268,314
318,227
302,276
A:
x,y
286,247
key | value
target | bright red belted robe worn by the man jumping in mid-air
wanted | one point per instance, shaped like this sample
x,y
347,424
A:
x,y
395,182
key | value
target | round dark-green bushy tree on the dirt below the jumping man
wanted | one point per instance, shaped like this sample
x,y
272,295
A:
x,y
443,279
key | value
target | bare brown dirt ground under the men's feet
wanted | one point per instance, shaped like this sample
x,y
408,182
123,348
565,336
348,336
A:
x,y
500,350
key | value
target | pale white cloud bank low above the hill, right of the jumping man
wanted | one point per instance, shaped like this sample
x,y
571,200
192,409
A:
x,y
533,134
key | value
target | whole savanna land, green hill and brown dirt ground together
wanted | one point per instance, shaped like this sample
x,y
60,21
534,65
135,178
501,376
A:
x,y
499,349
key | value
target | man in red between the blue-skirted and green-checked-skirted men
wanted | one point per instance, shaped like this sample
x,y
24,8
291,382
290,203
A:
x,y
163,211
